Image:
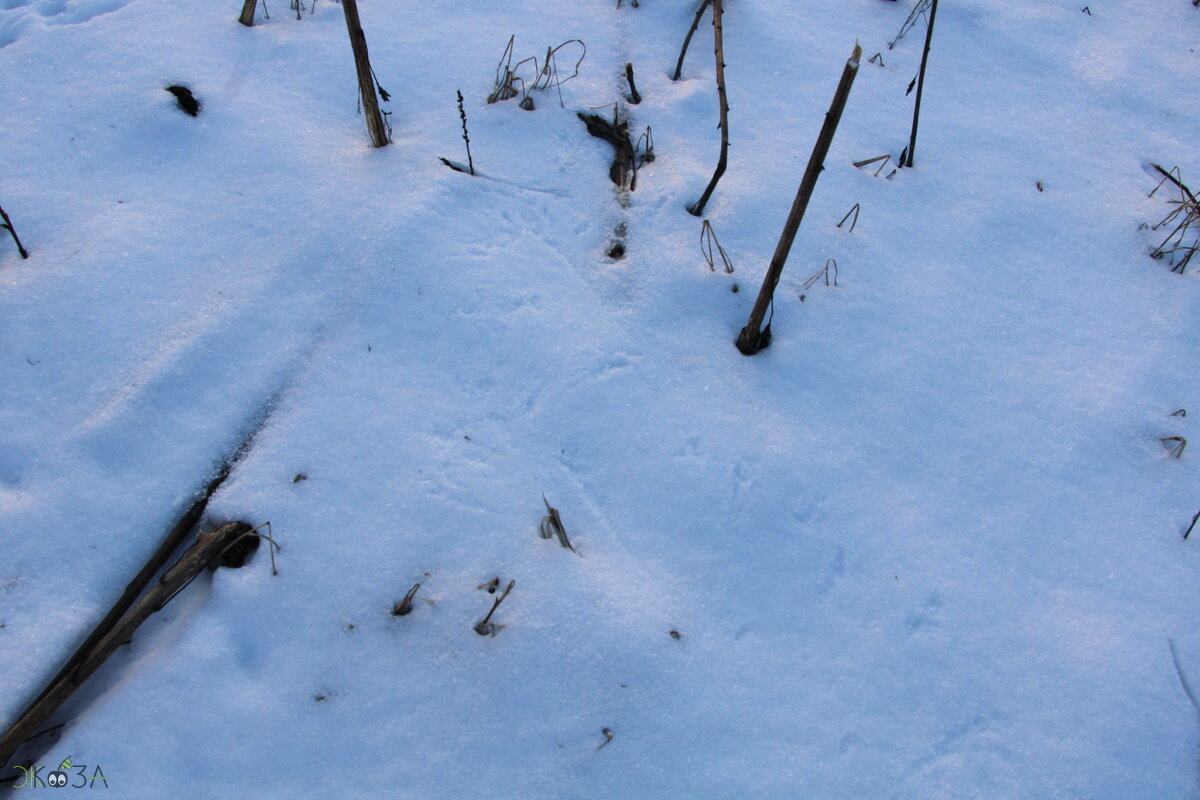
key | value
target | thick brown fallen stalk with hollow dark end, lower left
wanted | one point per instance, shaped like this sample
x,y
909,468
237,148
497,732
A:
x,y
207,550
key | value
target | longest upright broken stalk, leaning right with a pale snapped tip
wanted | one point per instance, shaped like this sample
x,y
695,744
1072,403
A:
x,y
752,339
